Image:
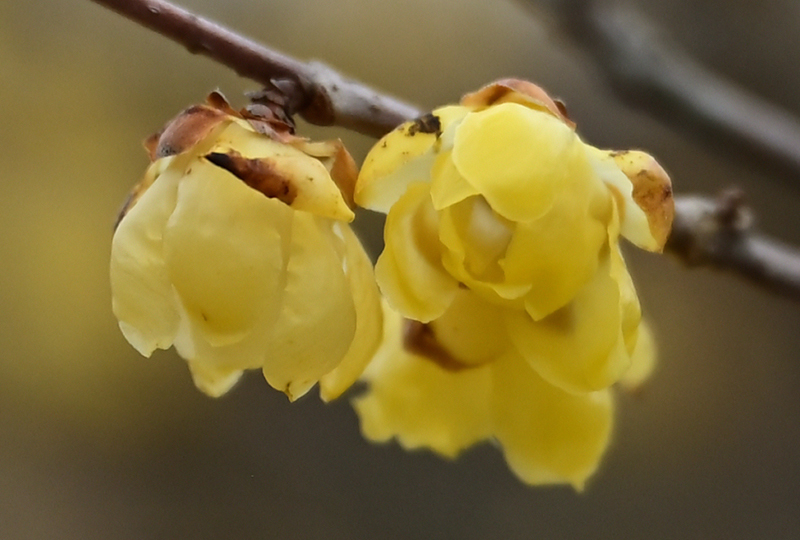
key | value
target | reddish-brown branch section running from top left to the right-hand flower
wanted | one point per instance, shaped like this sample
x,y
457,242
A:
x,y
320,94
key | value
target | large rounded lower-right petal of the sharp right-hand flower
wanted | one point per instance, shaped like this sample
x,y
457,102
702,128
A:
x,y
579,348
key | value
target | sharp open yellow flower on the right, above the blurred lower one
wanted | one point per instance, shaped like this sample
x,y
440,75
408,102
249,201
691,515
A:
x,y
499,196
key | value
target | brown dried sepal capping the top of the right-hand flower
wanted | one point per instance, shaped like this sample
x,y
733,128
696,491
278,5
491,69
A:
x,y
517,91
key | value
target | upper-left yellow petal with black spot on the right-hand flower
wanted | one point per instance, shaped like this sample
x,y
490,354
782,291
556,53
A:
x,y
403,156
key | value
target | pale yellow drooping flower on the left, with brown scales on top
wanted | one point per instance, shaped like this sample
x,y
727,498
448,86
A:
x,y
236,249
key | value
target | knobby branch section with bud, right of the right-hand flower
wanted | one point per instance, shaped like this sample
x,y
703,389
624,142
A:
x,y
719,233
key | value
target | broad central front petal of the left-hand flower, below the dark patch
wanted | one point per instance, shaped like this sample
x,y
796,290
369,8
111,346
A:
x,y
225,252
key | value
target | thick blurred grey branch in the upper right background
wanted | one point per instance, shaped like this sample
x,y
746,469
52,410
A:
x,y
654,74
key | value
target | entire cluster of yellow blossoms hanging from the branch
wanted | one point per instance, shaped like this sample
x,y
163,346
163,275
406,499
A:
x,y
508,312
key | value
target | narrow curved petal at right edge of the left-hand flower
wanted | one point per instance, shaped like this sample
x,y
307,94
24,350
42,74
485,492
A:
x,y
369,319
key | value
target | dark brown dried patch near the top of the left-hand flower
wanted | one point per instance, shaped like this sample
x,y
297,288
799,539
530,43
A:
x,y
260,174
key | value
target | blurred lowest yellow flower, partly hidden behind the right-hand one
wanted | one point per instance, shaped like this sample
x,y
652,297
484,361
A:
x,y
458,381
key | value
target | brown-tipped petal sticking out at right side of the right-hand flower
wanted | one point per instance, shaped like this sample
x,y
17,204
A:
x,y
652,191
